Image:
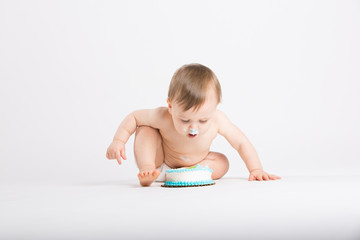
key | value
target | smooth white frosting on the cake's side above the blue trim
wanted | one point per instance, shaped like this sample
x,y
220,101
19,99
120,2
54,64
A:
x,y
189,176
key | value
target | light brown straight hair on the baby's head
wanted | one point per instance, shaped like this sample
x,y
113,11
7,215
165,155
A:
x,y
190,83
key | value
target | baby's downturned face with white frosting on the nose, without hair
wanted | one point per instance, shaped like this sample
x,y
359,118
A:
x,y
192,123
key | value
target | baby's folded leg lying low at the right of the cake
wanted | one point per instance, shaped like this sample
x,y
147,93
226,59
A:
x,y
218,162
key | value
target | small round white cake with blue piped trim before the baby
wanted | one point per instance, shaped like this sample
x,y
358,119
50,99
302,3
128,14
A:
x,y
188,177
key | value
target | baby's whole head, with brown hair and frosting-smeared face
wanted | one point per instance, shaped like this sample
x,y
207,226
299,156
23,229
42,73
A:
x,y
194,94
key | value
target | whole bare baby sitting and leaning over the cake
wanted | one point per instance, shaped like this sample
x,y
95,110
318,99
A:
x,y
180,134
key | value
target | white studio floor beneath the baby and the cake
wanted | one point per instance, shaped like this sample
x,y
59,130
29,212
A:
x,y
296,207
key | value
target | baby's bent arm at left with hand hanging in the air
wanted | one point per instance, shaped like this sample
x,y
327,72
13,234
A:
x,y
146,117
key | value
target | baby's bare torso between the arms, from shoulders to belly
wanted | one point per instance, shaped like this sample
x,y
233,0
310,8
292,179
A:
x,y
182,151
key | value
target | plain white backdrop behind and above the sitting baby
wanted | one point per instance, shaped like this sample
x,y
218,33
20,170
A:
x,y
70,71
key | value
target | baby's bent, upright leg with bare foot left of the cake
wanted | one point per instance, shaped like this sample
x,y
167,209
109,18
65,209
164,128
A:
x,y
149,154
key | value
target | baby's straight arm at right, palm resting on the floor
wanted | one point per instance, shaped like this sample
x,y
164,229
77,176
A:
x,y
247,152
